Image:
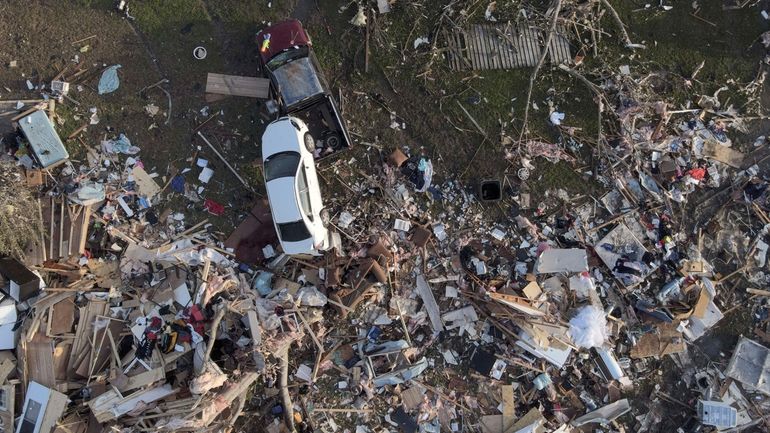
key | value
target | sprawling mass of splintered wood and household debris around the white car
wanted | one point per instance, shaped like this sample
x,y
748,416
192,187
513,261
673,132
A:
x,y
424,316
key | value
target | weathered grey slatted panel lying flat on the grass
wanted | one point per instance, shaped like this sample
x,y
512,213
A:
x,y
503,46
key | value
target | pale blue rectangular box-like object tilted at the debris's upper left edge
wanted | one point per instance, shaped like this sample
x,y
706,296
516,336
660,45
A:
x,y
47,148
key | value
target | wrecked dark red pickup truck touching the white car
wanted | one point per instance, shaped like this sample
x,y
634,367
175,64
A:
x,y
287,59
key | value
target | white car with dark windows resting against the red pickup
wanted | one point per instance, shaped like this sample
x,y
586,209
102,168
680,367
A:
x,y
292,187
